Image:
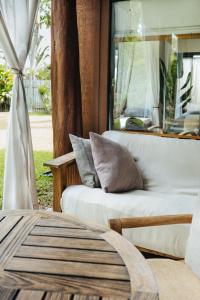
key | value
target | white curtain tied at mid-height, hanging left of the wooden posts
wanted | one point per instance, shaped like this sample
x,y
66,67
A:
x,y
16,26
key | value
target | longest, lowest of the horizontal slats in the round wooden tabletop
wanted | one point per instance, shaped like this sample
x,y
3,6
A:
x,y
68,268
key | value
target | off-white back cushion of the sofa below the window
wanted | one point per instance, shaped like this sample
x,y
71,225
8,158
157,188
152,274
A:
x,y
167,164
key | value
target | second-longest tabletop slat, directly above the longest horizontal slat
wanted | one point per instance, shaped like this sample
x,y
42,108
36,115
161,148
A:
x,y
70,255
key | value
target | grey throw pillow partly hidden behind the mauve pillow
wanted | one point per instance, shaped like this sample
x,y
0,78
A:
x,y
84,160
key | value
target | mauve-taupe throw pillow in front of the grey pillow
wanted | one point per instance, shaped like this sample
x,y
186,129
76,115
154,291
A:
x,y
116,168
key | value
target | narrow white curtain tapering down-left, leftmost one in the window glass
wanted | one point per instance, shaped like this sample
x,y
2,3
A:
x,y
124,69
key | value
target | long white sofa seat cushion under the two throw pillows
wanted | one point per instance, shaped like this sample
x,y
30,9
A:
x,y
96,206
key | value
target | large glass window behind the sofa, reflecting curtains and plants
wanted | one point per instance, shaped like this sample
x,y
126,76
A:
x,y
155,66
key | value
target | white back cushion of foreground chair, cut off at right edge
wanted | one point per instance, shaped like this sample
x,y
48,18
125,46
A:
x,y
192,257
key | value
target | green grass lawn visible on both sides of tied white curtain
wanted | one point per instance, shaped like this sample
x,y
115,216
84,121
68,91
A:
x,y
44,183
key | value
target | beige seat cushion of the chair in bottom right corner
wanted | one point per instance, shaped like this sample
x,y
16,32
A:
x,y
175,280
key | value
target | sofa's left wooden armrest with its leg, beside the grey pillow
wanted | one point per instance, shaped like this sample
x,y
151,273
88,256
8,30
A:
x,y
65,172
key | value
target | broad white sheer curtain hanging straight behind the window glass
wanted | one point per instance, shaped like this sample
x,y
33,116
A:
x,y
144,88
